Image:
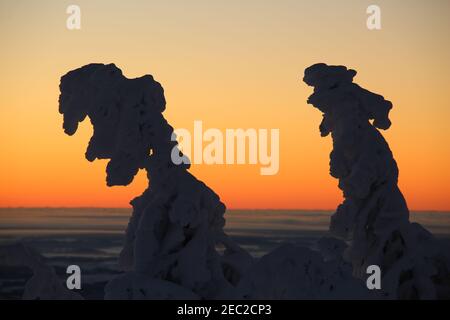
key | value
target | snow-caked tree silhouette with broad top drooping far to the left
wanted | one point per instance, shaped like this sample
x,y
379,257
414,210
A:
x,y
176,224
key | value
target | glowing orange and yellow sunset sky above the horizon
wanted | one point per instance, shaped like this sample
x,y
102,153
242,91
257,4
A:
x,y
231,64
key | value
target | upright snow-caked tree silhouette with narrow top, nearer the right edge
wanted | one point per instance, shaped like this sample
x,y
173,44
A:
x,y
374,217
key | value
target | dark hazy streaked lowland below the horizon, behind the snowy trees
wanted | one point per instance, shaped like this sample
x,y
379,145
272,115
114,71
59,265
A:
x,y
93,238
